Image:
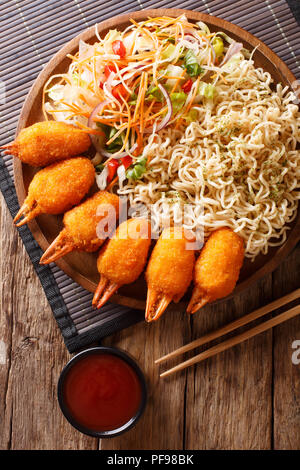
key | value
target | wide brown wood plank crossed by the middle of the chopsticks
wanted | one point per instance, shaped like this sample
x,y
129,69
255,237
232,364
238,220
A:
x,y
229,404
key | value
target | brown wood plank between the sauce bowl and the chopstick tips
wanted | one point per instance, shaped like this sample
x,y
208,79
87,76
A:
x,y
162,425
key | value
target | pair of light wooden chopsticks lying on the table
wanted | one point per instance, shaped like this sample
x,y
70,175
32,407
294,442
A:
x,y
230,327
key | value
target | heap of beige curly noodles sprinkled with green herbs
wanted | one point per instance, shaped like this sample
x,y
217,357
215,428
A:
x,y
236,166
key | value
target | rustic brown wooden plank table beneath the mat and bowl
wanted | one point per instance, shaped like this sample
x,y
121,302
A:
x,y
245,398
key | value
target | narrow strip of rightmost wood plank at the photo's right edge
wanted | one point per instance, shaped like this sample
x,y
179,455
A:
x,y
286,374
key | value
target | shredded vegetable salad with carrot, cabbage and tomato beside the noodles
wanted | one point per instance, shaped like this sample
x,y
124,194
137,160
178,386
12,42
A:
x,y
134,83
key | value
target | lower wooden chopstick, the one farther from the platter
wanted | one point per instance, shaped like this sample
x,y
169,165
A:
x,y
236,340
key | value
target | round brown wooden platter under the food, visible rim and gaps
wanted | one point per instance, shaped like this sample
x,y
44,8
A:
x,y
81,267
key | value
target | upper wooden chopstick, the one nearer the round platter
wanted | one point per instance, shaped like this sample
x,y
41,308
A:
x,y
233,325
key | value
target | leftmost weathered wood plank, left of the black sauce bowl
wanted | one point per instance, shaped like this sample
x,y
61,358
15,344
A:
x,y
35,357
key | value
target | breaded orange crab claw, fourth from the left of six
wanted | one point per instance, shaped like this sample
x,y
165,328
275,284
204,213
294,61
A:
x,y
122,259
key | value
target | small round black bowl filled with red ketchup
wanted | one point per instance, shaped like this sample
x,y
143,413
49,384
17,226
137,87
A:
x,y
102,392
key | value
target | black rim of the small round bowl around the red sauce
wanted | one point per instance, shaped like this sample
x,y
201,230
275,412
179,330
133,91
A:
x,y
65,409
